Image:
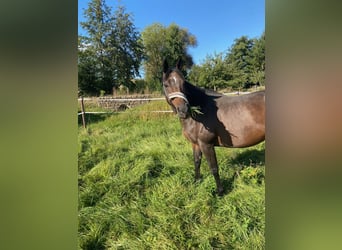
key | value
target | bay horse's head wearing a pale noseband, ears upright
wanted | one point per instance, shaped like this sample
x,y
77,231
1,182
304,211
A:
x,y
173,82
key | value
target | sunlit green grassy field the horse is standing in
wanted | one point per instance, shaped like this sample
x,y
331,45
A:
x,y
137,190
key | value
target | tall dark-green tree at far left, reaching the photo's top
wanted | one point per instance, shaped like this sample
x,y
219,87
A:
x,y
114,46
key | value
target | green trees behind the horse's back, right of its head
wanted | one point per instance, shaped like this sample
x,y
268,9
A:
x,y
243,65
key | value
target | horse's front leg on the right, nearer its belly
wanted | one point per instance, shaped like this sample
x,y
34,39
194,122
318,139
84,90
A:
x,y
209,153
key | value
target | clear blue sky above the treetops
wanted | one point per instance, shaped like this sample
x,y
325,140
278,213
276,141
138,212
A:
x,y
215,23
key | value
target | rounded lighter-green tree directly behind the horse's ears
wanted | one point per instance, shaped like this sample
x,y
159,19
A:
x,y
169,43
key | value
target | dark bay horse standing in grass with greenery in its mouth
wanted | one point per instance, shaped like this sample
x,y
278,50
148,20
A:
x,y
212,119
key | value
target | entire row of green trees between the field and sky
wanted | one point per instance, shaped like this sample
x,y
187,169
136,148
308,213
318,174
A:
x,y
113,51
